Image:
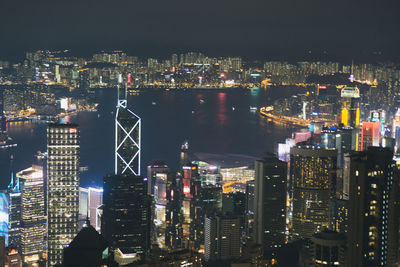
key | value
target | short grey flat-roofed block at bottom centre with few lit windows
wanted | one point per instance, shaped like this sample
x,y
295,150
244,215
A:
x,y
222,238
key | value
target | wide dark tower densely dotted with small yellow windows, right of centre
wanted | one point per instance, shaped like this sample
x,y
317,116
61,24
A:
x,y
312,178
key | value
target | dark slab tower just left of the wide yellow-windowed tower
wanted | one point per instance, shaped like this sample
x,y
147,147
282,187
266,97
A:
x,y
270,202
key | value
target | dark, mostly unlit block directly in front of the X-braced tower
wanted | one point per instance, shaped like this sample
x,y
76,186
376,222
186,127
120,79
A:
x,y
126,213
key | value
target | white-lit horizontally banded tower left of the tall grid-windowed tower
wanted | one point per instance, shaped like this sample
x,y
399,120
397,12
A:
x,y
32,213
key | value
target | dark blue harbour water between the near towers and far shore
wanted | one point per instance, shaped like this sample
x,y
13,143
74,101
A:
x,y
212,121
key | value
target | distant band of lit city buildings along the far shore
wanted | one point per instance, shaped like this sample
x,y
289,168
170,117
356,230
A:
x,y
191,69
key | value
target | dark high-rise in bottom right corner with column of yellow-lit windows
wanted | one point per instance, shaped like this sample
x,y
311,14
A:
x,y
371,177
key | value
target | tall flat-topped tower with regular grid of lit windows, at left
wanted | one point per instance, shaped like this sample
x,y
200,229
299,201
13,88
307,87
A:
x,y
63,188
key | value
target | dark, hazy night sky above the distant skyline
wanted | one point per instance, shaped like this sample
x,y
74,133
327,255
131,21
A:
x,y
254,29
